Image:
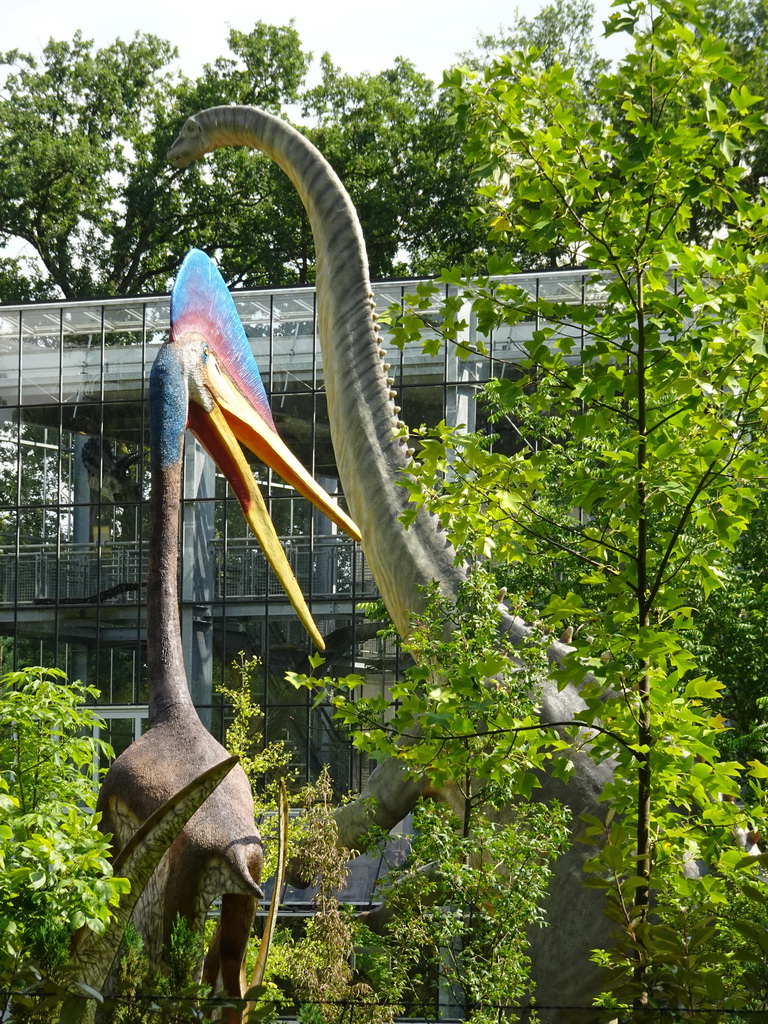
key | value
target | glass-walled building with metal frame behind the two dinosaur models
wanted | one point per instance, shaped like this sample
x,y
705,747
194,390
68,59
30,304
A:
x,y
74,514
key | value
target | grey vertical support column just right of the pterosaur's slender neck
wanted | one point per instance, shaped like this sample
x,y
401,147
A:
x,y
197,575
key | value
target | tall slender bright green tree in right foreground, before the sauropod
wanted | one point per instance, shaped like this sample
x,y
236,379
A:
x,y
652,397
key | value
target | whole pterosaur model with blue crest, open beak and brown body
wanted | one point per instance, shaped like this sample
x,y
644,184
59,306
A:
x,y
204,378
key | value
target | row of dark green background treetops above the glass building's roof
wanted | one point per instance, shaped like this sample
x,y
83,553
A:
x,y
83,137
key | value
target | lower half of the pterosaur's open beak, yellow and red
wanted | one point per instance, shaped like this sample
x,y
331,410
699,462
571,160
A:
x,y
212,431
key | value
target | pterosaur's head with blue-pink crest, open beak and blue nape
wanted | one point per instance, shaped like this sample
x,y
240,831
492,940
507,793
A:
x,y
207,377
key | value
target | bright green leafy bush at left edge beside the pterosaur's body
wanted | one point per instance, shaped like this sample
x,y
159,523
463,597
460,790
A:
x,y
55,872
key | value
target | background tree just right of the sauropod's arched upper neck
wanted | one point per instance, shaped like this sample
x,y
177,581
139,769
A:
x,y
392,142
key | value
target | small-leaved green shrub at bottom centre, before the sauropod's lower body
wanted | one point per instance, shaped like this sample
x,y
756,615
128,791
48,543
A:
x,y
461,909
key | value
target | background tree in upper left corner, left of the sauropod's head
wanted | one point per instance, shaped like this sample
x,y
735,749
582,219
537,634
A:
x,y
69,129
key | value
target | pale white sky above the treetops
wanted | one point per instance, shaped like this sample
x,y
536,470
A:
x,y
360,36
